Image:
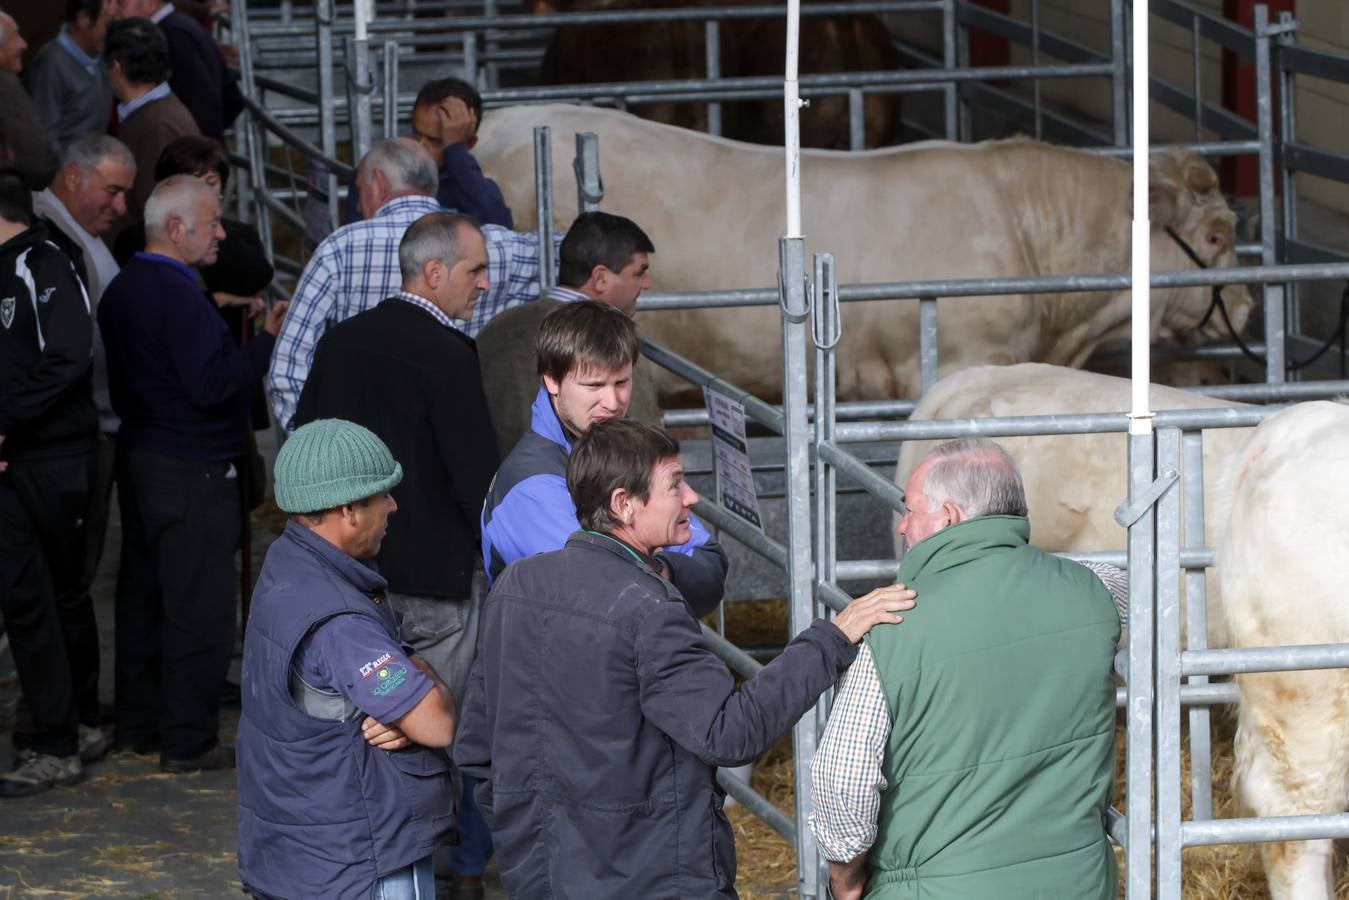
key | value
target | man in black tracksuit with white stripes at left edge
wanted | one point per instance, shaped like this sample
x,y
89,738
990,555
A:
x,y
48,428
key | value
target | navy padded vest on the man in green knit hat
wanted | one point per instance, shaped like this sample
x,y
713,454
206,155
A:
x,y
323,814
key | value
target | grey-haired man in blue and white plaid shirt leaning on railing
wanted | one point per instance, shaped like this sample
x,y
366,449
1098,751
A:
x,y
357,266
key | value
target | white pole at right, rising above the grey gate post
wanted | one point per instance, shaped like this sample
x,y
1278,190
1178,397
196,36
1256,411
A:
x,y
1141,416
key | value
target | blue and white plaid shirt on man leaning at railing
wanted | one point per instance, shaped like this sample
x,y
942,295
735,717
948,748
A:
x,y
357,266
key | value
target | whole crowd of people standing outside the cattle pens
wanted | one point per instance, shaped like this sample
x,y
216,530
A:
x,y
424,466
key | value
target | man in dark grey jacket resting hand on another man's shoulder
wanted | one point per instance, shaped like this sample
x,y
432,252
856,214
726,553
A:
x,y
594,714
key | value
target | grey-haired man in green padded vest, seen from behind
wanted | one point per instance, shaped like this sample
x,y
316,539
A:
x,y
972,754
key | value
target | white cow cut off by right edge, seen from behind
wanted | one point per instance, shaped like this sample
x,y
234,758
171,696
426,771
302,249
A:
x,y
1282,569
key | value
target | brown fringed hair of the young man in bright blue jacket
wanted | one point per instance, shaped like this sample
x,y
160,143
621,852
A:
x,y
586,333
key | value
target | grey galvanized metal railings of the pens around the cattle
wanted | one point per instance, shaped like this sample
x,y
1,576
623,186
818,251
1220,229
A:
x,y
811,312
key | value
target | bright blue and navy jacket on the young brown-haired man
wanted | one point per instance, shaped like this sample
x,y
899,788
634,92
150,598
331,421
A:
x,y
529,511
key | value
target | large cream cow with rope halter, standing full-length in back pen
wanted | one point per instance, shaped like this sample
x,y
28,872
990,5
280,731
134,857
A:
x,y
716,208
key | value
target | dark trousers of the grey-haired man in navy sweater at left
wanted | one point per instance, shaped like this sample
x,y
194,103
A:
x,y
176,600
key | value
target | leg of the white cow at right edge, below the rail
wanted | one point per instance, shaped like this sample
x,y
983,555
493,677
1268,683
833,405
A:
x,y
1293,759
